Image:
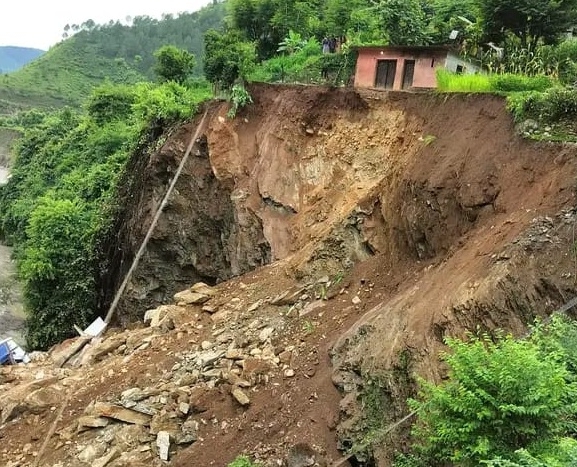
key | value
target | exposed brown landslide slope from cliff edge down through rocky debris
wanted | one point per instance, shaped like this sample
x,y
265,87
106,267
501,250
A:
x,y
391,220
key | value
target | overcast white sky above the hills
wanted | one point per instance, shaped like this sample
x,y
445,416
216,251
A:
x,y
40,23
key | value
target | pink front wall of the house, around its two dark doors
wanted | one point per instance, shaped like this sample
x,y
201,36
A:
x,y
426,62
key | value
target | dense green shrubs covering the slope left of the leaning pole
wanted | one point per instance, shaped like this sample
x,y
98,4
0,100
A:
x,y
61,195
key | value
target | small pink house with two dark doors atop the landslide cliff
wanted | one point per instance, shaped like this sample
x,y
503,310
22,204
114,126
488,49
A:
x,y
406,67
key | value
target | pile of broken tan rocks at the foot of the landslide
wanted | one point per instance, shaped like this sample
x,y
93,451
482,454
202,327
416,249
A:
x,y
234,358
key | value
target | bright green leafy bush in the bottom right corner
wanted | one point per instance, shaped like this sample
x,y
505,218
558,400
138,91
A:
x,y
502,396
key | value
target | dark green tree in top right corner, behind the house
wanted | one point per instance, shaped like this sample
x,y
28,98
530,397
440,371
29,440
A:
x,y
529,20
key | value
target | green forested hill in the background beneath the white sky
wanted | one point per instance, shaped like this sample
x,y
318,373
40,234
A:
x,y
92,53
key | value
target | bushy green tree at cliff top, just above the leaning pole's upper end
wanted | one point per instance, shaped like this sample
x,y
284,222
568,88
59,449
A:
x,y
227,57
